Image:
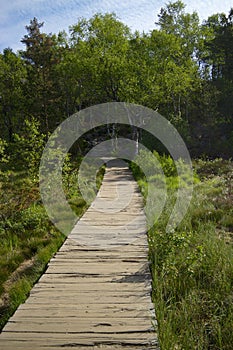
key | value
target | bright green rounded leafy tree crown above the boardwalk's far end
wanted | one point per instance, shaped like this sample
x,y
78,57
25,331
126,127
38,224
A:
x,y
99,53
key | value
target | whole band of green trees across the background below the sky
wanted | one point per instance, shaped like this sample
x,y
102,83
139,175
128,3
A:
x,y
182,68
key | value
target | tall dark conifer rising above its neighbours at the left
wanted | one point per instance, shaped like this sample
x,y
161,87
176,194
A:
x,y
41,57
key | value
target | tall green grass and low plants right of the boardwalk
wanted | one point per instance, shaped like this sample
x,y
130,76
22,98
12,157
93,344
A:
x,y
192,267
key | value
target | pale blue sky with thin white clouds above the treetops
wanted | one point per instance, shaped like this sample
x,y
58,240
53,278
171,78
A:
x,y
60,14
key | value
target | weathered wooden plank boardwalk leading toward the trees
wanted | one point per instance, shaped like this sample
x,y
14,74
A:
x,y
95,293
